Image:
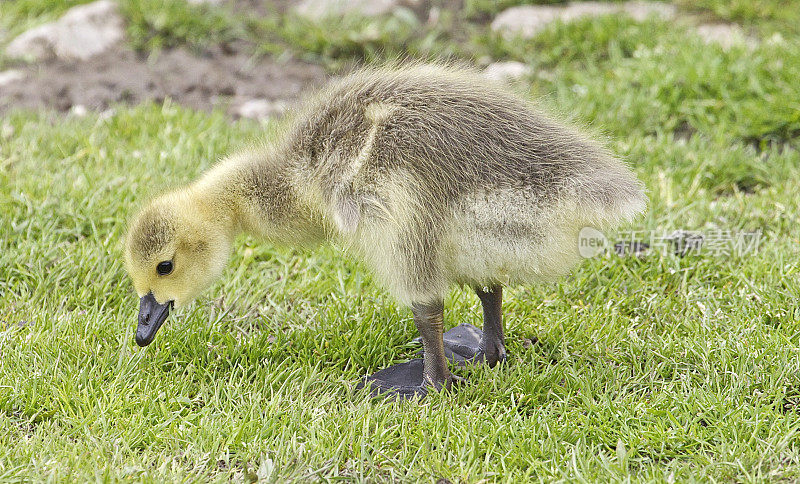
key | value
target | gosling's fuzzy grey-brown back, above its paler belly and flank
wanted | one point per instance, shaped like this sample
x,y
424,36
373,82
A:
x,y
452,131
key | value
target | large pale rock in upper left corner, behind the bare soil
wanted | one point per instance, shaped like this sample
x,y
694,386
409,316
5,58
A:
x,y
82,32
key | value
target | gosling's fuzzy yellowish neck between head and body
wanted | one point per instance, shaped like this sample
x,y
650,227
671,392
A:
x,y
253,193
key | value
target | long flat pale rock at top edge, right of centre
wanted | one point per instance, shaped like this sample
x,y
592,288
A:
x,y
528,20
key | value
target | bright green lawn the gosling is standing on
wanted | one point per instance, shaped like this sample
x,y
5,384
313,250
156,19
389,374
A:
x,y
653,368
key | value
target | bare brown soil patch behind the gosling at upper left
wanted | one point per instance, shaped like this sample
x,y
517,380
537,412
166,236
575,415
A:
x,y
219,77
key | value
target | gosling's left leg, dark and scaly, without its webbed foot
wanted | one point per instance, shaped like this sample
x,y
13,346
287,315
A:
x,y
429,321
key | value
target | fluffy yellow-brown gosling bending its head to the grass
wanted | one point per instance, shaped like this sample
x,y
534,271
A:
x,y
430,174
